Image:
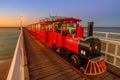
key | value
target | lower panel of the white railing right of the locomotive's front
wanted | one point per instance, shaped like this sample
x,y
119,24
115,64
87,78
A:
x,y
112,55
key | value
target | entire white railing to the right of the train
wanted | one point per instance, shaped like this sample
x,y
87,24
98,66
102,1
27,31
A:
x,y
110,46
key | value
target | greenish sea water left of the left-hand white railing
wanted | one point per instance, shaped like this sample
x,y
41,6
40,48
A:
x,y
8,41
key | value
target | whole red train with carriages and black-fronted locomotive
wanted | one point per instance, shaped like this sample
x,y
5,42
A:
x,y
65,35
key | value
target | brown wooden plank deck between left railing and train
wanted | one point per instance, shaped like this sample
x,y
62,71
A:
x,y
43,64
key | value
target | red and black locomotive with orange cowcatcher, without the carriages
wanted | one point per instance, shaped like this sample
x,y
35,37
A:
x,y
83,52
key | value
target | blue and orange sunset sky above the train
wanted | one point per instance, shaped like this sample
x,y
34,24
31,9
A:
x,y
104,13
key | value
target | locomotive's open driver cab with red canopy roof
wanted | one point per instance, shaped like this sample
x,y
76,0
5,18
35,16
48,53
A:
x,y
66,25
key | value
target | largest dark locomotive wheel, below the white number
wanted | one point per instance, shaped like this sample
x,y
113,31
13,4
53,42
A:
x,y
75,61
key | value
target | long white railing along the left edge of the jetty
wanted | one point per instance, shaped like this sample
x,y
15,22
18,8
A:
x,y
16,71
